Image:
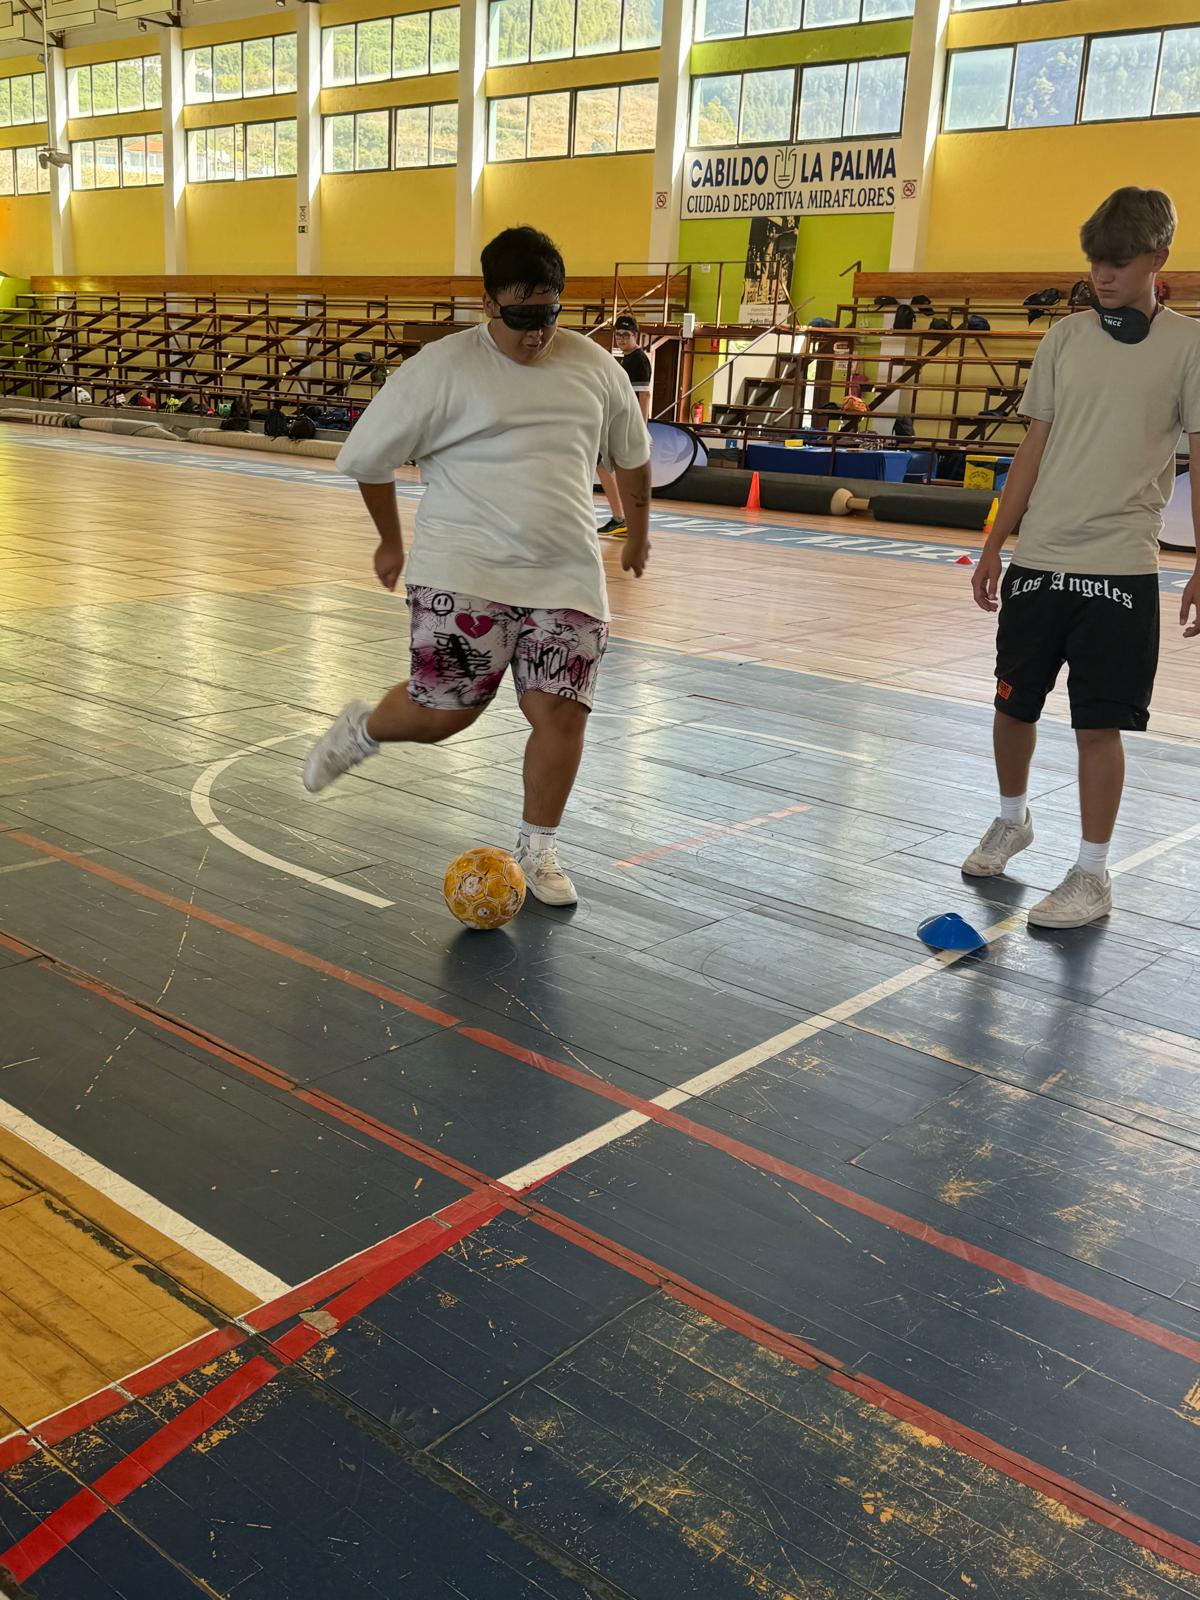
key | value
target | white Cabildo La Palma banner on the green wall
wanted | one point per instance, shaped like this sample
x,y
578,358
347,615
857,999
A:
x,y
791,180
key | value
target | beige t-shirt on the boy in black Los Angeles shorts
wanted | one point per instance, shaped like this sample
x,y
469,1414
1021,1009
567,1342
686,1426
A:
x,y
1116,414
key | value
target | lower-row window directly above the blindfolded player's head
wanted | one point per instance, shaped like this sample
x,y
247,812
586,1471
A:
x,y
574,122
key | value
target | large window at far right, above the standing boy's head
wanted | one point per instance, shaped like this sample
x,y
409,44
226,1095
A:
x,y
1038,84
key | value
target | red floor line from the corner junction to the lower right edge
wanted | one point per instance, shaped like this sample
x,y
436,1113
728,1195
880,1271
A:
x,y
1175,1548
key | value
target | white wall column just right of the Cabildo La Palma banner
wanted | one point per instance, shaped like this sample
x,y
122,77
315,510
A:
x,y
919,135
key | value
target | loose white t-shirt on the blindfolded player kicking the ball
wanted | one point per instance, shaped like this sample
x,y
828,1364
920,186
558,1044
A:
x,y
508,455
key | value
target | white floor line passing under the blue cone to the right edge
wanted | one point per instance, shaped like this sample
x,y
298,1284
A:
x,y
726,1071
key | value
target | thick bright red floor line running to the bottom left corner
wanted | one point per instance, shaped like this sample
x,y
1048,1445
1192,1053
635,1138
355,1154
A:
x,y
87,1506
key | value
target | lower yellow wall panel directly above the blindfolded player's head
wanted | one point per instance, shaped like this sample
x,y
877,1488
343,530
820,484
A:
x,y
596,209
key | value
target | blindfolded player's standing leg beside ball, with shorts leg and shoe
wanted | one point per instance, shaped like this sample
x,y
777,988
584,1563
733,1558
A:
x,y
556,668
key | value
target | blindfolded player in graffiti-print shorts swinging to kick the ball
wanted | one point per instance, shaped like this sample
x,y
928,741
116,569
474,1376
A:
x,y
506,423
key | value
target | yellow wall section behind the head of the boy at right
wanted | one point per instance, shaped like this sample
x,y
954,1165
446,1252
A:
x,y
1014,202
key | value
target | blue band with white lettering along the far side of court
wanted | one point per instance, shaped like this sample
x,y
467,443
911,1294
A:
x,y
894,548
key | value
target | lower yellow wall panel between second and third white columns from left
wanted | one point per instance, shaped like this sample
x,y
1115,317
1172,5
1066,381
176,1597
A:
x,y
242,228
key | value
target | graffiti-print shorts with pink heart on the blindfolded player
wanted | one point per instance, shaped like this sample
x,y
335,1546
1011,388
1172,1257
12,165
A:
x,y
463,647
